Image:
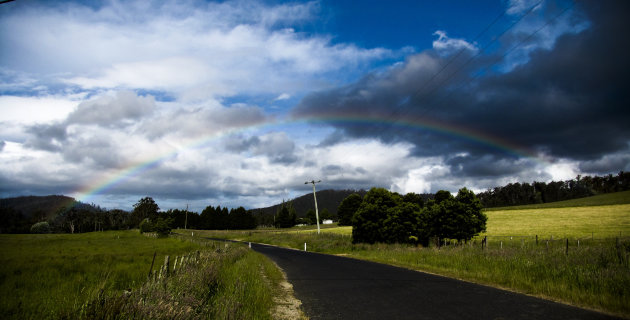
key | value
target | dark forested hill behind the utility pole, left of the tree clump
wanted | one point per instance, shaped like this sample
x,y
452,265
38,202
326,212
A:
x,y
326,199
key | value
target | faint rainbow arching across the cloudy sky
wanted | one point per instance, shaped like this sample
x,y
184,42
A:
x,y
119,176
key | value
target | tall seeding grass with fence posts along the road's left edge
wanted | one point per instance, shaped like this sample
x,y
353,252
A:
x,y
230,283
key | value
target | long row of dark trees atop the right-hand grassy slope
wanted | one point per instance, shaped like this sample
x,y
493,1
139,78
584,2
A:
x,y
515,194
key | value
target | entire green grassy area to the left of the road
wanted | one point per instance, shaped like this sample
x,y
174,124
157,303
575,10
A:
x,y
56,276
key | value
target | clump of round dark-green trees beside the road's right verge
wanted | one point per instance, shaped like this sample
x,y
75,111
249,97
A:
x,y
388,217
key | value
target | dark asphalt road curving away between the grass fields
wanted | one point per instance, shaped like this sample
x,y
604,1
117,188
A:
x,y
332,287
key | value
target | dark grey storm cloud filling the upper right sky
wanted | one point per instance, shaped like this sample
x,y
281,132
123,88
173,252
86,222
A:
x,y
570,101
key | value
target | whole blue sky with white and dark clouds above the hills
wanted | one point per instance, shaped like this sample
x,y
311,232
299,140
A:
x,y
238,103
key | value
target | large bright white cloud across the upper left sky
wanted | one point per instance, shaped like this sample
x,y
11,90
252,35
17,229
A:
x,y
192,50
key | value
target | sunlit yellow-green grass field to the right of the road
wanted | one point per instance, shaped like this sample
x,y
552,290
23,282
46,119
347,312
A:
x,y
593,274
